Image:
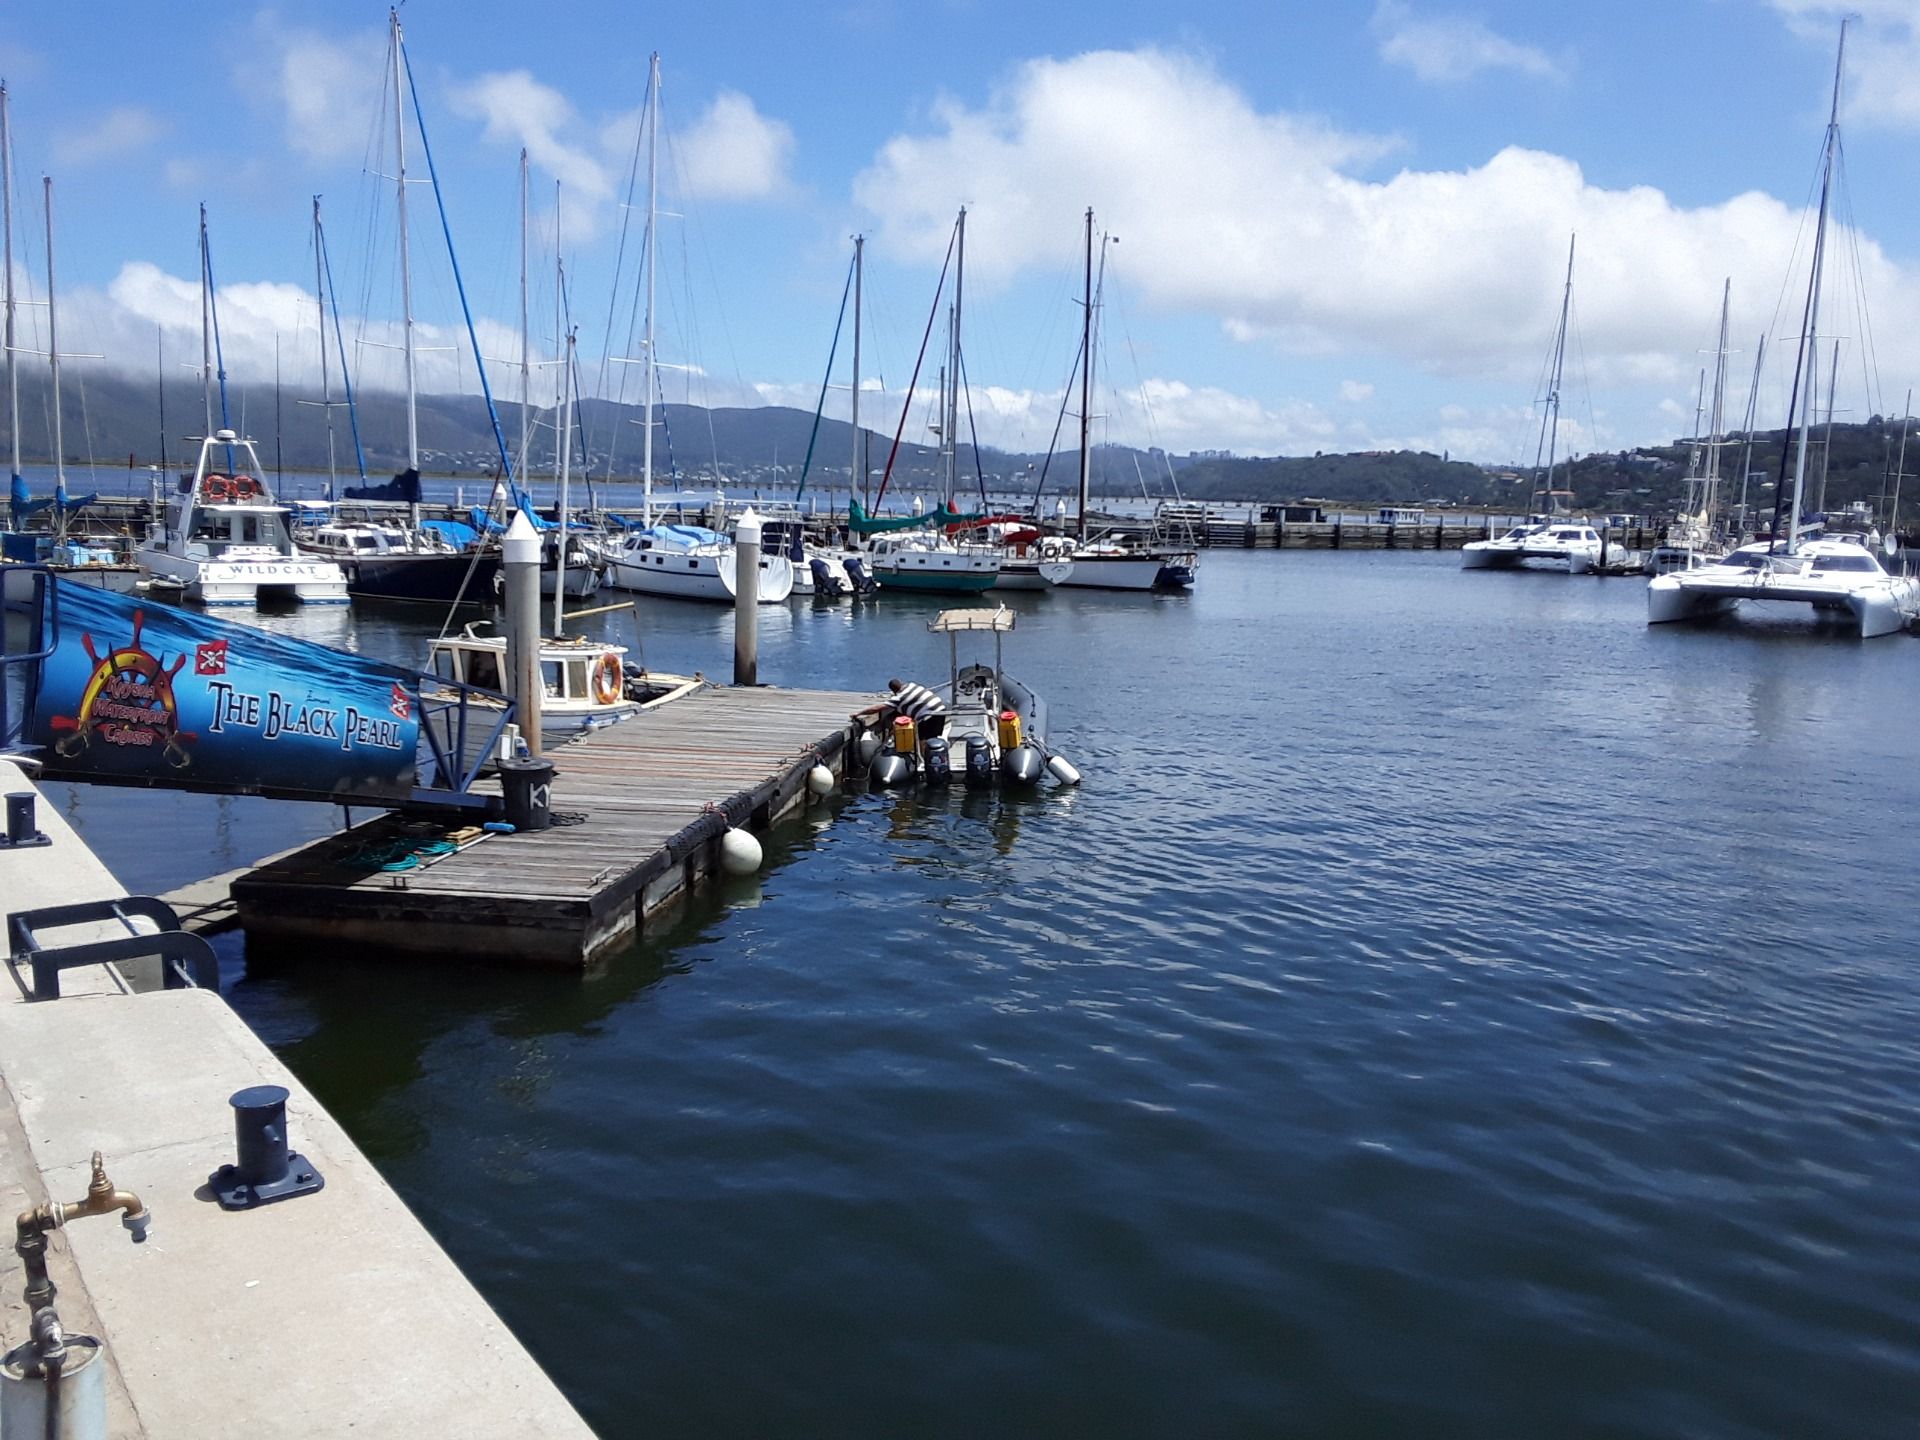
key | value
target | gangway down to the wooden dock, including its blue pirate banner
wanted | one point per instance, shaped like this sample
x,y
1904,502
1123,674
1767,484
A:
x,y
118,690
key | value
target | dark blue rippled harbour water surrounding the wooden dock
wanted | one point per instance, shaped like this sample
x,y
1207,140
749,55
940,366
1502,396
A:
x,y
1447,1009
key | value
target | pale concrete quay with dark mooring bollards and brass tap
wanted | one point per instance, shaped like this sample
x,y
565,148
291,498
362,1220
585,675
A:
x,y
324,1314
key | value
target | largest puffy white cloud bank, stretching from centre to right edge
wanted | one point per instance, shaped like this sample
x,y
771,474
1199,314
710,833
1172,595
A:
x,y
1262,224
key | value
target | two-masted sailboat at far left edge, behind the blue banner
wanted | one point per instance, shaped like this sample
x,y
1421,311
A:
x,y
68,556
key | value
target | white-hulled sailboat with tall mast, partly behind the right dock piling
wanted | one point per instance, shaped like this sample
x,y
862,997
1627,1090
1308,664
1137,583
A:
x,y
679,562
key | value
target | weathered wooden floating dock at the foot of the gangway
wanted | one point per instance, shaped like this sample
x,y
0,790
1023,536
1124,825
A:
x,y
642,807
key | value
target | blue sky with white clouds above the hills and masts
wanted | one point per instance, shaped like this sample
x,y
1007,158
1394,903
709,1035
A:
x,y
1333,226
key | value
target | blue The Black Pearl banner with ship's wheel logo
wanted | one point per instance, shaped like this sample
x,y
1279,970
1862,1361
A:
x,y
145,694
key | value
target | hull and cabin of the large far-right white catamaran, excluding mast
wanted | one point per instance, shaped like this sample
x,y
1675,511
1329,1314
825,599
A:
x,y
1835,575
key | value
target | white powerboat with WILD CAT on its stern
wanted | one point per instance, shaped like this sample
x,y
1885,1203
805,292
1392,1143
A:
x,y
224,540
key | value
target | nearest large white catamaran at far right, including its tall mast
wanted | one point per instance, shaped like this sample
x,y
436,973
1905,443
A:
x,y
1835,575
